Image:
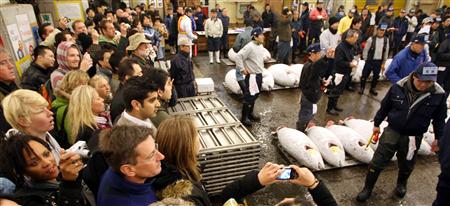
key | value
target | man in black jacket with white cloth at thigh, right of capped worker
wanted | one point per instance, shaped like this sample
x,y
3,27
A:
x,y
344,63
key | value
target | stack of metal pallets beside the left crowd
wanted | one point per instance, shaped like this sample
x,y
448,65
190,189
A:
x,y
228,150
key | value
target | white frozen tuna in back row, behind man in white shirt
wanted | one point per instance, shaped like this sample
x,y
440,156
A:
x,y
280,74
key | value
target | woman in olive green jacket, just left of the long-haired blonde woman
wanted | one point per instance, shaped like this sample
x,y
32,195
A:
x,y
59,106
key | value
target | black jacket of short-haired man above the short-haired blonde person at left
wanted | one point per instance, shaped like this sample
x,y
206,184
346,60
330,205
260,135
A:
x,y
35,76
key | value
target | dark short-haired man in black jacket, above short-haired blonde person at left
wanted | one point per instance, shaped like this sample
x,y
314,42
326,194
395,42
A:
x,y
41,68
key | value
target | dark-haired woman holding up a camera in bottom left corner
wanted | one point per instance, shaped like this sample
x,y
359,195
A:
x,y
41,179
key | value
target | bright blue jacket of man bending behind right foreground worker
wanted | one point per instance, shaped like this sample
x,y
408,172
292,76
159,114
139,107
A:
x,y
403,64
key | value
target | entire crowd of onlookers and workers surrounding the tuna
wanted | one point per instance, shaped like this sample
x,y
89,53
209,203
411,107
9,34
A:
x,y
107,81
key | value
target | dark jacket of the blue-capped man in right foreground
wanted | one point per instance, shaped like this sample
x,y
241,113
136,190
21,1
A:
x,y
413,118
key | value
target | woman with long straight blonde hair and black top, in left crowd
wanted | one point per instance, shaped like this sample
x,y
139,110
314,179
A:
x,y
84,114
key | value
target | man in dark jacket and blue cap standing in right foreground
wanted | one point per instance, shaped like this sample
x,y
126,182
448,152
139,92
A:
x,y
409,106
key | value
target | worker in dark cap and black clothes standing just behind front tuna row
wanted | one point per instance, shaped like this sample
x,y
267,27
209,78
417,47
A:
x,y
311,83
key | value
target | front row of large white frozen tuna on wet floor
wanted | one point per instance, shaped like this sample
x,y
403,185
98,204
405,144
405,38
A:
x,y
331,143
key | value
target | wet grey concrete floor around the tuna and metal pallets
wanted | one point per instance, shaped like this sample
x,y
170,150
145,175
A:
x,y
281,107
